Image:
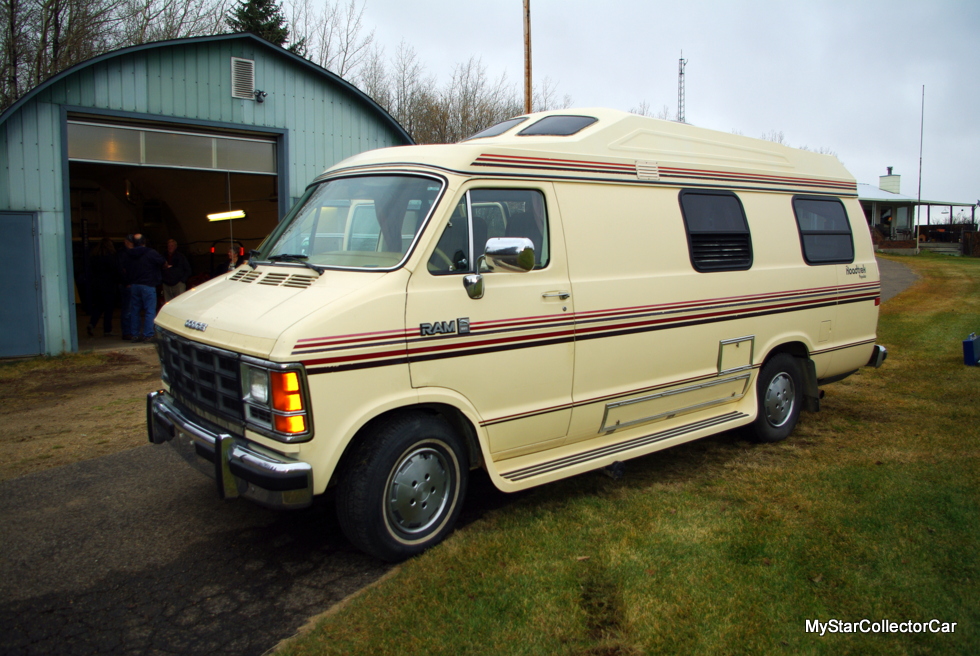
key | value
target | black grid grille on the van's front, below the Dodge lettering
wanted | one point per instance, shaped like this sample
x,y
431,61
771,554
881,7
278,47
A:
x,y
202,377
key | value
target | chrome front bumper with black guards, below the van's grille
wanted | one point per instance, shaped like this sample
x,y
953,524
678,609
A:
x,y
236,465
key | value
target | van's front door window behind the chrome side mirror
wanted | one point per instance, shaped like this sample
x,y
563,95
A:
x,y
492,213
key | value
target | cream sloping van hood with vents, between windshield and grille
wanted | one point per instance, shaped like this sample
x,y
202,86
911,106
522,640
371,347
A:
x,y
248,309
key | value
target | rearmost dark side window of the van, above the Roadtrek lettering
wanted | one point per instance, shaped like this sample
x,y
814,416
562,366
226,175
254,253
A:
x,y
825,232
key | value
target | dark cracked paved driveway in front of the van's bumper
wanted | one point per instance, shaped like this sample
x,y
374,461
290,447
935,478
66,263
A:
x,y
133,553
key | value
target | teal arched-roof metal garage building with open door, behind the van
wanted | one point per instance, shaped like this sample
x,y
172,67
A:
x,y
152,139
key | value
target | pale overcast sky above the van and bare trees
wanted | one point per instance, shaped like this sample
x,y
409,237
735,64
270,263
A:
x,y
845,75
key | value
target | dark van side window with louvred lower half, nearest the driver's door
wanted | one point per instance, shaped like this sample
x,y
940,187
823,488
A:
x,y
717,233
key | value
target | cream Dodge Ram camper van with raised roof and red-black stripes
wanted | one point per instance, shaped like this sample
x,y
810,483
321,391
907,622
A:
x,y
561,292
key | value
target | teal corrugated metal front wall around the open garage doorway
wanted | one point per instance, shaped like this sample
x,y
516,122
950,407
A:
x,y
324,121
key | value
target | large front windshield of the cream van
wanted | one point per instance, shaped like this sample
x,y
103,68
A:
x,y
368,221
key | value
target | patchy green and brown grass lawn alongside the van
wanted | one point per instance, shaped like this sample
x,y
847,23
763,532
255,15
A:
x,y
870,510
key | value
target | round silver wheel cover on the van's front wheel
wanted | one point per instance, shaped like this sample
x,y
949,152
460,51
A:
x,y
418,490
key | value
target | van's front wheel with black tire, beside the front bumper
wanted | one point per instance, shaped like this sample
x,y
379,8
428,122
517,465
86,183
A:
x,y
402,487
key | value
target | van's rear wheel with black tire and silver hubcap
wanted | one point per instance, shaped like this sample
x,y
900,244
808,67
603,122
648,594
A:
x,y
779,394
